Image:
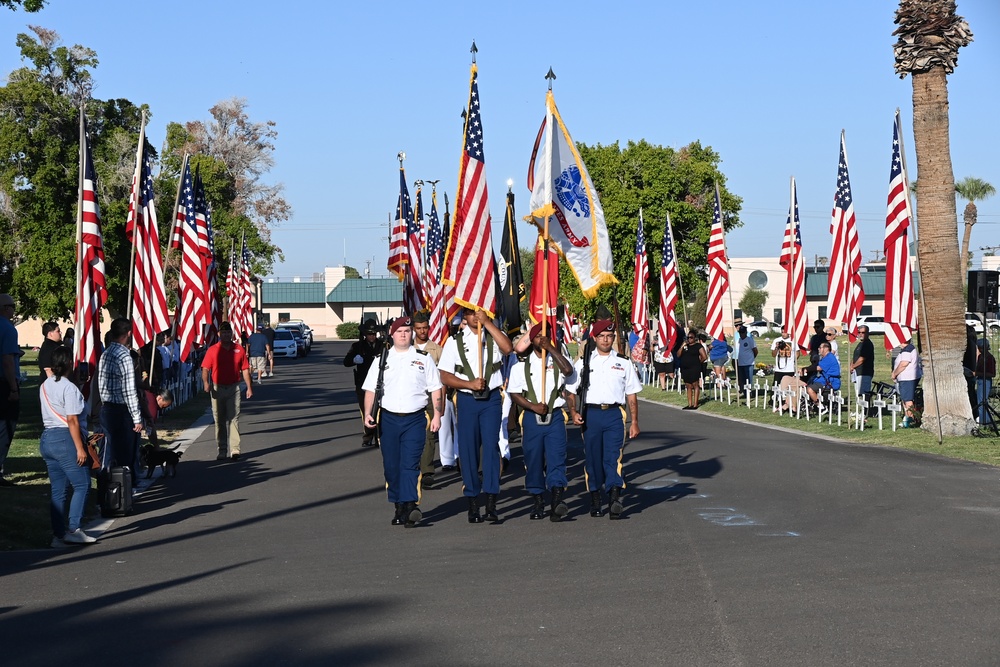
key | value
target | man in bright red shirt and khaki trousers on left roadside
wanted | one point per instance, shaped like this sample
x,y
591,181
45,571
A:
x,y
225,363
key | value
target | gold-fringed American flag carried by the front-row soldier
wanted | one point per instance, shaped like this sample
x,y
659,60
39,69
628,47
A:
x,y
468,264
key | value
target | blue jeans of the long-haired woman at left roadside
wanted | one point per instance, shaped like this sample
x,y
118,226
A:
x,y
59,452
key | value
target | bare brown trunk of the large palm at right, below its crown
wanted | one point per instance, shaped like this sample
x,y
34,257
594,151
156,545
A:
x,y
941,274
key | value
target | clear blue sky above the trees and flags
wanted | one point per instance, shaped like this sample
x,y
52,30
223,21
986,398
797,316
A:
x,y
769,85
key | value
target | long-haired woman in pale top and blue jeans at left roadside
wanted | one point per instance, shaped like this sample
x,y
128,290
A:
x,y
61,446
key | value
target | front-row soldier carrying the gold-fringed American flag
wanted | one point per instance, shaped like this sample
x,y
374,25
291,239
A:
x,y
471,363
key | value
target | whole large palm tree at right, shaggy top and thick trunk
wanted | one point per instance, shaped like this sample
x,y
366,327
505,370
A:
x,y
930,35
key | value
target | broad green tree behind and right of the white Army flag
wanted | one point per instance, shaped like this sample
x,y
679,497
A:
x,y
658,179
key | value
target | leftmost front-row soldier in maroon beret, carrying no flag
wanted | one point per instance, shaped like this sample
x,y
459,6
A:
x,y
407,377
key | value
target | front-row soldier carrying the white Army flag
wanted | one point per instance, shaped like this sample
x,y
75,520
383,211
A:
x,y
540,395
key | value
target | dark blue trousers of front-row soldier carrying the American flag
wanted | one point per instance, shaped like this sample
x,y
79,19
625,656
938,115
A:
x,y
479,442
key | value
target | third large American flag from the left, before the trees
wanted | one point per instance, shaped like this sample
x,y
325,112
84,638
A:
x,y
192,278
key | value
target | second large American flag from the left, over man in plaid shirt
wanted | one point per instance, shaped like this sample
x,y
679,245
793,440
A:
x,y
149,300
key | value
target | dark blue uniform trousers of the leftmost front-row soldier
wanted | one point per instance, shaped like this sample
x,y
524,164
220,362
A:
x,y
402,443
